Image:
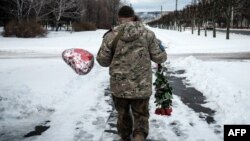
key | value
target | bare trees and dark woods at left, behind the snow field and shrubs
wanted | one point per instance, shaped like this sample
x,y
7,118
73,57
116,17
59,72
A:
x,y
57,12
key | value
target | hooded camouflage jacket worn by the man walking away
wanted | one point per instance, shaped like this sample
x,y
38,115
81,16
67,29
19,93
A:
x,y
130,66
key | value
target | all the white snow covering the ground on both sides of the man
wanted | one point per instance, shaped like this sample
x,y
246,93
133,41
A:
x,y
36,90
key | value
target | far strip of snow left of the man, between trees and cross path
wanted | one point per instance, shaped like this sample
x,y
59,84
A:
x,y
54,43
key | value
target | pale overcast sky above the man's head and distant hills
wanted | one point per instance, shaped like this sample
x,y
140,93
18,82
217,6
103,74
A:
x,y
155,5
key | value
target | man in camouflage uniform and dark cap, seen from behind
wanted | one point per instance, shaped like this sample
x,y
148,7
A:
x,y
128,50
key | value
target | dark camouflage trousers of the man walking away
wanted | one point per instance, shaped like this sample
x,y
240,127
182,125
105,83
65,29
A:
x,y
137,122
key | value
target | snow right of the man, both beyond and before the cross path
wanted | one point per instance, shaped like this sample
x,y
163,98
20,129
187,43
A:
x,y
225,83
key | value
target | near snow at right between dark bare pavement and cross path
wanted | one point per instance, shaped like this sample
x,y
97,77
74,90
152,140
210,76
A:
x,y
225,84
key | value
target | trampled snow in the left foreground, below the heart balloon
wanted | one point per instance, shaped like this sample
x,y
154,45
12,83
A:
x,y
51,87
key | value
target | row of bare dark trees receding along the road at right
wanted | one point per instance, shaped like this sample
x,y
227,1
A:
x,y
221,13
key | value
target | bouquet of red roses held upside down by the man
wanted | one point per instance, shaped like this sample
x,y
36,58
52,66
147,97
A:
x,y
163,93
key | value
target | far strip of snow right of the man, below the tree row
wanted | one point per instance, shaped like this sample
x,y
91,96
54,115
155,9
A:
x,y
185,42
